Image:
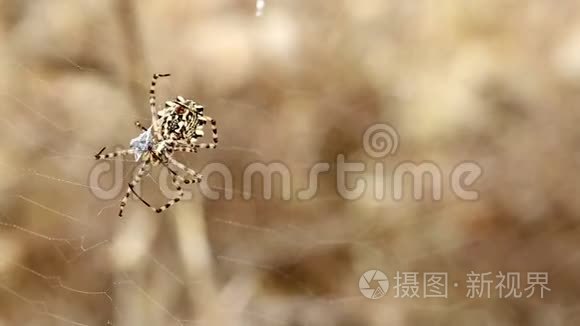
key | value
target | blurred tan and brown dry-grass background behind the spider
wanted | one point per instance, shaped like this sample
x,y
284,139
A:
x,y
297,82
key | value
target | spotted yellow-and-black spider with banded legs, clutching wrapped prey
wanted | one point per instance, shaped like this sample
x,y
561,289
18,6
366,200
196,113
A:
x,y
175,128
